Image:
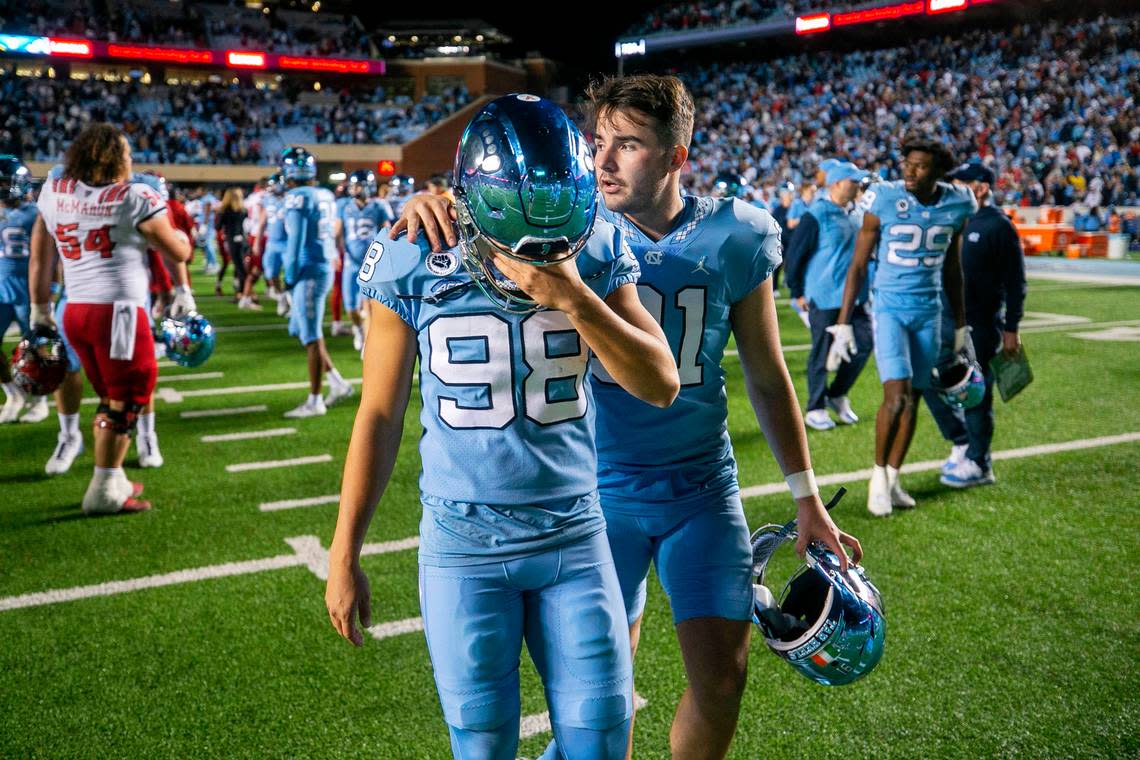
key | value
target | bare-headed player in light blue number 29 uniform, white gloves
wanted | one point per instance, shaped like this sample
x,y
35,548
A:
x,y
914,226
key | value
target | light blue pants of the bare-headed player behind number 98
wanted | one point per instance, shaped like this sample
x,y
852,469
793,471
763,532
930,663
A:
x,y
701,549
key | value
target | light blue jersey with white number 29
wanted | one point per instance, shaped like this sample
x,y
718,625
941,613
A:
x,y
914,240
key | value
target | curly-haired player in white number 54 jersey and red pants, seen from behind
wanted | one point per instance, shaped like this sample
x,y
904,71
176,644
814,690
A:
x,y
101,224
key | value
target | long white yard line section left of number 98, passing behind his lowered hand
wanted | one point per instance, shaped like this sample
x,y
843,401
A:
x,y
194,575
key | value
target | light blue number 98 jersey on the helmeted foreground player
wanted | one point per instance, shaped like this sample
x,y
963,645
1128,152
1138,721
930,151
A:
x,y
508,414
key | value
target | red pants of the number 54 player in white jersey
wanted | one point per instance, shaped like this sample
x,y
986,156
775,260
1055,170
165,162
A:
x,y
89,331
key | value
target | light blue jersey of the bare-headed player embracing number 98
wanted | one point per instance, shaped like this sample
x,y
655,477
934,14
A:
x,y
720,251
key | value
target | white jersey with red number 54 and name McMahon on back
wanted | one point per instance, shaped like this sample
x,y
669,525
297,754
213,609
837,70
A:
x,y
96,234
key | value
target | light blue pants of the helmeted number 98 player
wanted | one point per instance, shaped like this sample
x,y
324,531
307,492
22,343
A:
x,y
565,602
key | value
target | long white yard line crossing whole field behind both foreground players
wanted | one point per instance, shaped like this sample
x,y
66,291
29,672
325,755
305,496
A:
x,y
295,560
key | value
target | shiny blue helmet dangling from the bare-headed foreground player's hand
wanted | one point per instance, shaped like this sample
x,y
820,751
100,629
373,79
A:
x,y
827,625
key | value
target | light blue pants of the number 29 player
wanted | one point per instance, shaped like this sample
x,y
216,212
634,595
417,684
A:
x,y
907,345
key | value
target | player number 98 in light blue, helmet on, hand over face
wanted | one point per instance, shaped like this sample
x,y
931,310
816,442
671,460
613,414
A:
x,y
512,537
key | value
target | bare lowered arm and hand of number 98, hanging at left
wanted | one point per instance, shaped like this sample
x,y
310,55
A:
x,y
389,357
